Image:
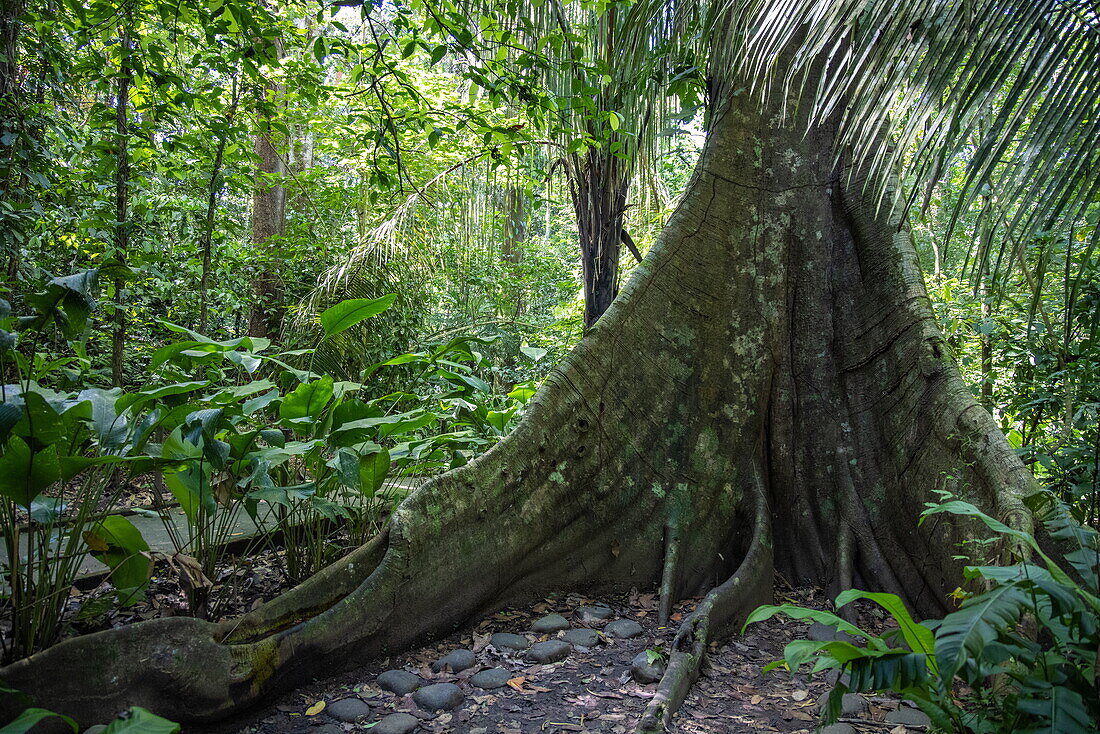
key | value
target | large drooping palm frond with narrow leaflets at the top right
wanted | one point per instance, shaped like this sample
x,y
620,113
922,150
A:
x,y
1021,78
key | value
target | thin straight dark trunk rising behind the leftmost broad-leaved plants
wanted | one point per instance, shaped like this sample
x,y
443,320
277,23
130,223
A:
x,y
122,205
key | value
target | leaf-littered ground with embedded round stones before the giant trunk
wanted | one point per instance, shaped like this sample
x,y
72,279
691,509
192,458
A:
x,y
591,691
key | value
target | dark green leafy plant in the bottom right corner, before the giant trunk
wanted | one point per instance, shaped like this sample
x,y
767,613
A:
x,y
1018,656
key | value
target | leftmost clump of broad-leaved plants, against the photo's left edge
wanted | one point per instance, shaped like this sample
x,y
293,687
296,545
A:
x,y
62,458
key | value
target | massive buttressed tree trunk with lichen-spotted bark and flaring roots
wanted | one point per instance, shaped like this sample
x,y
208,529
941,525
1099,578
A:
x,y
769,392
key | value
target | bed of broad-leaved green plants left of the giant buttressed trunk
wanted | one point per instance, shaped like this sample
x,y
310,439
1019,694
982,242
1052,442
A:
x,y
233,431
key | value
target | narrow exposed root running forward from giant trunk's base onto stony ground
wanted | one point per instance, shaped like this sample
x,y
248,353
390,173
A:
x,y
723,608
